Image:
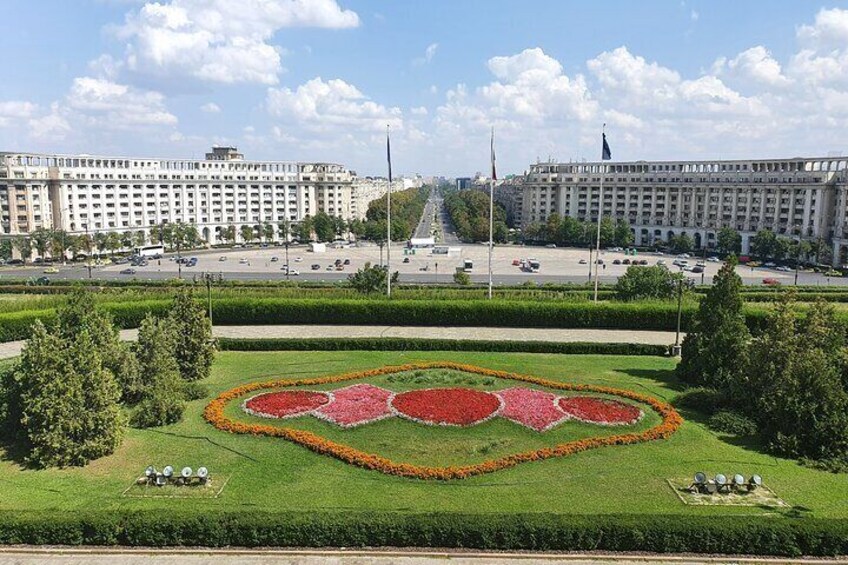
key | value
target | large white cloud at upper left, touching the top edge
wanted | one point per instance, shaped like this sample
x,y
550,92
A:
x,y
221,40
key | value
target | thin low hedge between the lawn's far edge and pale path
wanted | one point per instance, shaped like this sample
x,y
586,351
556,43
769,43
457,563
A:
x,y
417,344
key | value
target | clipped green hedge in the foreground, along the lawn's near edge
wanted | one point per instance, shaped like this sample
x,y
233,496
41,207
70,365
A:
x,y
529,531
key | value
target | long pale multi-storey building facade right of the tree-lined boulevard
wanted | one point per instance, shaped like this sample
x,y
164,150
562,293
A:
x,y
797,198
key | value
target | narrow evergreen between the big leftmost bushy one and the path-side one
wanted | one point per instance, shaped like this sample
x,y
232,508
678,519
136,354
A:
x,y
162,400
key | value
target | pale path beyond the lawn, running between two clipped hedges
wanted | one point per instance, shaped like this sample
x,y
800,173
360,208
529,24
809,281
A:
x,y
13,348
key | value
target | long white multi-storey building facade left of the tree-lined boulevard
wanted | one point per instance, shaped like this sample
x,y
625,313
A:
x,y
85,193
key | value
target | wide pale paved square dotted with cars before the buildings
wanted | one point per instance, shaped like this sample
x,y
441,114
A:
x,y
563,265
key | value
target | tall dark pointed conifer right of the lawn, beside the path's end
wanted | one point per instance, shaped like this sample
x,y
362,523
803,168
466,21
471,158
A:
x,y
715,350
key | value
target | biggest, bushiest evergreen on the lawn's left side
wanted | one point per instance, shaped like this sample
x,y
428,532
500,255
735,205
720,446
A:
x,y
68,400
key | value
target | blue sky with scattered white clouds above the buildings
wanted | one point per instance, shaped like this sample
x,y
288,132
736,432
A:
x,y
319,80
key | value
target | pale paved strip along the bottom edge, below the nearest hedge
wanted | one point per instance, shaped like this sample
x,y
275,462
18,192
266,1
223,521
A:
x,y
142,556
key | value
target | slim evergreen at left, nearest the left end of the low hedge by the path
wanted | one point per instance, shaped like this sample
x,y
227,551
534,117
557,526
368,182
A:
x,y
195,349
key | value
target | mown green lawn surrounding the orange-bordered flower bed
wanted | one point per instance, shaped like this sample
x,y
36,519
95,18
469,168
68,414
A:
x,y
270,474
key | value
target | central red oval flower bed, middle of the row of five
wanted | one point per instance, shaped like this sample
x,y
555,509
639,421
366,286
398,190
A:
x,y
447,406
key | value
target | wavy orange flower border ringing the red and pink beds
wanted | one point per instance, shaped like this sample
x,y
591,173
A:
x,y
214,414
